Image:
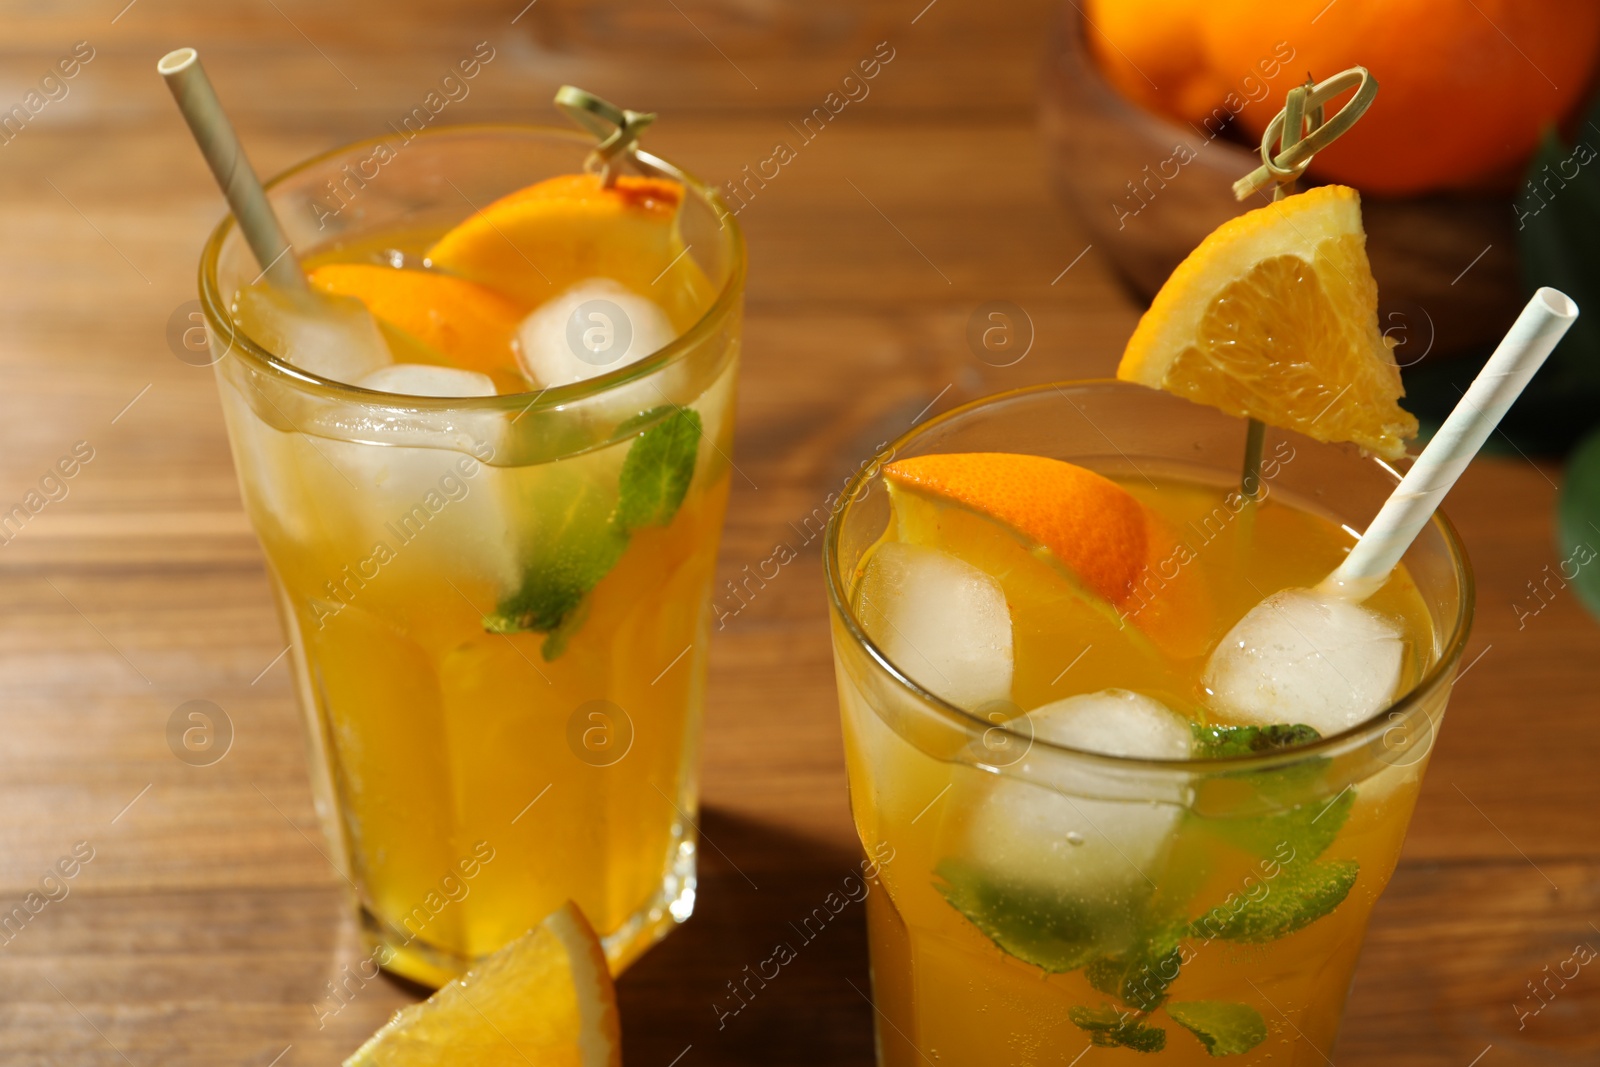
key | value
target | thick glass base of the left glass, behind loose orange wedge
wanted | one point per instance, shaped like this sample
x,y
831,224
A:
x,y
431,967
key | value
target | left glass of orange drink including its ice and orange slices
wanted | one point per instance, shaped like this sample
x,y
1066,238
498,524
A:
x,y
489,474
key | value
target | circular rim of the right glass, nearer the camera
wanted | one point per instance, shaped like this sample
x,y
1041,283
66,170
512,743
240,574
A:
x,y
1346,740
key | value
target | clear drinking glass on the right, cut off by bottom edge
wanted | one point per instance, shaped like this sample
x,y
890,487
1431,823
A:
x,y
1041,900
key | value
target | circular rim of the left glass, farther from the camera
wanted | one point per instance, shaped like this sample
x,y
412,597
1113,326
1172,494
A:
x,y
215,305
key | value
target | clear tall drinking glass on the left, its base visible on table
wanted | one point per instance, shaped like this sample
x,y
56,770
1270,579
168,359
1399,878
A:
x,y
471,780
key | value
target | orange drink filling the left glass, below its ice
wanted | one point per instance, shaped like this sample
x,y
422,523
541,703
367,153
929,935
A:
x,y
479,770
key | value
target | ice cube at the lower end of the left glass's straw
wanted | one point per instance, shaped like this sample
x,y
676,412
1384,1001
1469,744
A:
x,y
334,337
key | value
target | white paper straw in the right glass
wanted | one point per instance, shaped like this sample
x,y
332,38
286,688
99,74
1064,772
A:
x,y
1540,326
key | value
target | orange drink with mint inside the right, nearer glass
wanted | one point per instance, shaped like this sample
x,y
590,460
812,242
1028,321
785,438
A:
x,y
1234,933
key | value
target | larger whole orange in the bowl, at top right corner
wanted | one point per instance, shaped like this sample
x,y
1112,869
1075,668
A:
x,y
1468,89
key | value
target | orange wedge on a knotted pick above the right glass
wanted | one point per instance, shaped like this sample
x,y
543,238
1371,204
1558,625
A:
x,y
1276,318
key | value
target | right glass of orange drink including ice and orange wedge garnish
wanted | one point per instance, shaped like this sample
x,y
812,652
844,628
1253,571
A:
x,y
1092,826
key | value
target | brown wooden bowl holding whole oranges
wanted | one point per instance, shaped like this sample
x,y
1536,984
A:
x,y
1446,265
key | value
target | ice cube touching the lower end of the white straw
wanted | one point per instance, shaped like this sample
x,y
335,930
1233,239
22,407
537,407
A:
x,y
1302,658
